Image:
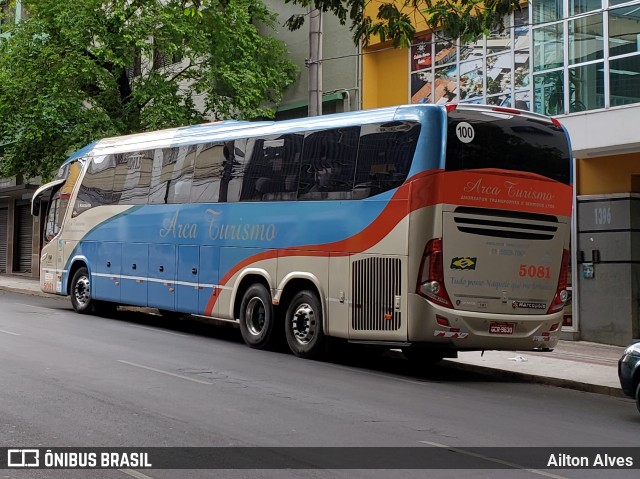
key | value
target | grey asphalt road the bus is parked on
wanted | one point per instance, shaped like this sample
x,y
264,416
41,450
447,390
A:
x,y
135,380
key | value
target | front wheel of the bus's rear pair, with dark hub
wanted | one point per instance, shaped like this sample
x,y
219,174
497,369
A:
x,y
257,318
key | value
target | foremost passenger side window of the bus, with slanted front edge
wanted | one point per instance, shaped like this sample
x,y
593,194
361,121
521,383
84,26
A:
x,y
97,185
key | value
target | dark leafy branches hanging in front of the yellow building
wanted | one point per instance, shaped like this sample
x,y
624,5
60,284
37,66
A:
x,y
395,20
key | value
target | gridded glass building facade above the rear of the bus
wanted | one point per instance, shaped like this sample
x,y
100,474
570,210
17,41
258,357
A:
x,y
557,57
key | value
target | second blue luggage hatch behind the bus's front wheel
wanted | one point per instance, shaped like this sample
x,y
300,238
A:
x,y
135,264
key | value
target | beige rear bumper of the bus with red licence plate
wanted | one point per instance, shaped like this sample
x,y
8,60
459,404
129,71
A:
x,y
469,330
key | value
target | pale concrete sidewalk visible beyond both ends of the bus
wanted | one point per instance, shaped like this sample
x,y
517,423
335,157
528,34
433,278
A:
x,y
577,365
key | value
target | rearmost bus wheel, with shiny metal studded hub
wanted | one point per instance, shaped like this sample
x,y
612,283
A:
x,y
303,325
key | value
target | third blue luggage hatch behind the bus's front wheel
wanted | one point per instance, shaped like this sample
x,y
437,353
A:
x,y
162,276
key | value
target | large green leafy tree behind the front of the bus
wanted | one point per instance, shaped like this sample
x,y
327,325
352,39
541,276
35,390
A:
x,y
78,70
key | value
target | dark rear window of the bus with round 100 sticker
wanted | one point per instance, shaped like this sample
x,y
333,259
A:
x,y
487,139
